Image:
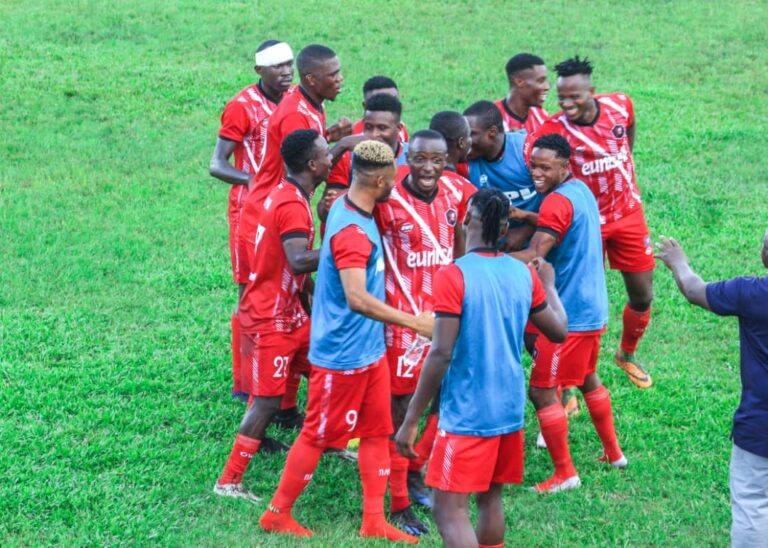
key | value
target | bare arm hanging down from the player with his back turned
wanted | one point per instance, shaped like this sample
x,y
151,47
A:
x,y
432,373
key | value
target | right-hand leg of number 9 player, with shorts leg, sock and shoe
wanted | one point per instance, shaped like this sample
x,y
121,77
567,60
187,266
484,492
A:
x,y
373,425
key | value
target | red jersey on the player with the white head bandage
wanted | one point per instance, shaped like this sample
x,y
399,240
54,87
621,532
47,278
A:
x,y
244,121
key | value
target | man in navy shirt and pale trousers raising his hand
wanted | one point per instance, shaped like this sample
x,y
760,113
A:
x,y
746,298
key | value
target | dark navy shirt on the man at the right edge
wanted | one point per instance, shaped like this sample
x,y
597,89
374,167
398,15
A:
x,y
747,298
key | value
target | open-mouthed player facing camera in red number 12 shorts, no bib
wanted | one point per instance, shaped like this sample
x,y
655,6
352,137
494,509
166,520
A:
x,y
418,226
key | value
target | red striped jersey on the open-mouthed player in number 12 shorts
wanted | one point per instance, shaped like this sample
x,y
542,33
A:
x,y
417,235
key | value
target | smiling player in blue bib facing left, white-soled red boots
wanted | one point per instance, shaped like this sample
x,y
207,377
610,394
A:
x,y
568,235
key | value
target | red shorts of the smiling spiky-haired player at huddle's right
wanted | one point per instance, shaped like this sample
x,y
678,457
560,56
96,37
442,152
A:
x,y
628,244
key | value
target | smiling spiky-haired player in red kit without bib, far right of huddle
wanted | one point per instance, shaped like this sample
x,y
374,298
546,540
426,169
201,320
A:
x,y
601,132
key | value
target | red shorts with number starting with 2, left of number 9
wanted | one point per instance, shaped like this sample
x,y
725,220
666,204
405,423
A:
x,y
267,359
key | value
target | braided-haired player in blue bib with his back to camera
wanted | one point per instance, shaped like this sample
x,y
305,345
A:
x,y
479,450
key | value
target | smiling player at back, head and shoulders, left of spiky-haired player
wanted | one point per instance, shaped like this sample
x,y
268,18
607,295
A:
x,y
528,88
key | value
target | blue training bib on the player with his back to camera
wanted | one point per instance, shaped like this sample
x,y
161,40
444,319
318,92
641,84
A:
x,y
486,363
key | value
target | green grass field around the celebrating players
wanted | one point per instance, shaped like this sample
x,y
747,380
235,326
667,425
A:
x,y
115,287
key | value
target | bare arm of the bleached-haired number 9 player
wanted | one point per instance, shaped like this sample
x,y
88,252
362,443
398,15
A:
x,y
362,302
